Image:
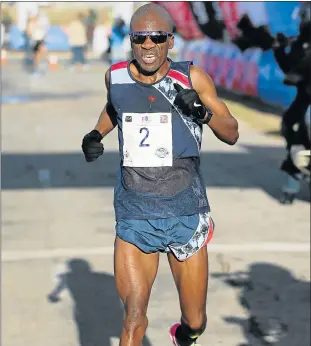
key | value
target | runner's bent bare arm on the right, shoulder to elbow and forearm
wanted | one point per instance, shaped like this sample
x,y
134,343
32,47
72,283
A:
x,y
222,123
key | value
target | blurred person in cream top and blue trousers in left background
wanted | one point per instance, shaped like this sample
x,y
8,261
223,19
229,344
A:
x,y
77,37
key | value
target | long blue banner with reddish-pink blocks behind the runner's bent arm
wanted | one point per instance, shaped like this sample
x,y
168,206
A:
x,y
252,72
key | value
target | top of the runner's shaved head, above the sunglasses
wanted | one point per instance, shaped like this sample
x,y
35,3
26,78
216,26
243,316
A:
x,y
152,13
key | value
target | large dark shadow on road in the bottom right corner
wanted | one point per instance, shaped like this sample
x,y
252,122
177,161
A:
x,y
278,305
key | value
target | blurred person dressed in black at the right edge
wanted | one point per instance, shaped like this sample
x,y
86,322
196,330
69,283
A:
x,y
295,65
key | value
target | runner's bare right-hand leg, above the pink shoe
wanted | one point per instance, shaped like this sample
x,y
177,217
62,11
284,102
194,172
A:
x,y
191,279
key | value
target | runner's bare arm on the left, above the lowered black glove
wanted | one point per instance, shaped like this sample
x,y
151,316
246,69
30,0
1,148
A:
x,y
107,120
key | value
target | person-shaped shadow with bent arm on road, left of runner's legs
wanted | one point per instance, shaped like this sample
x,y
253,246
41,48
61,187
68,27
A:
x,y
98,311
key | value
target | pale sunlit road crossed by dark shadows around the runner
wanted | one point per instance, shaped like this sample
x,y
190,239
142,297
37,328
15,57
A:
x,y
58,228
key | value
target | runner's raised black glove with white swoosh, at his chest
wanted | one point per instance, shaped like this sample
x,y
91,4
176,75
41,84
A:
x,y
189,103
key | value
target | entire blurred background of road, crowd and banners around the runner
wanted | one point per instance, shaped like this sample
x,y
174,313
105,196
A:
x,y
58,221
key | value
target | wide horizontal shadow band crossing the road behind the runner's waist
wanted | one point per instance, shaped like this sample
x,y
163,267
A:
x,y
256,167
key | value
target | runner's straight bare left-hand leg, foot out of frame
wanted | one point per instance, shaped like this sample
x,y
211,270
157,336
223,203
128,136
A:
x,y
135,272
